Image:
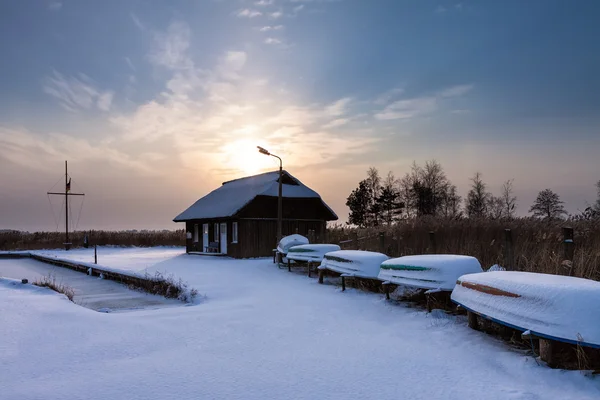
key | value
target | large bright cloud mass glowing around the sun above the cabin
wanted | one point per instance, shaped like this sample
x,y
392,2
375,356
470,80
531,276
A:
x,y
215,113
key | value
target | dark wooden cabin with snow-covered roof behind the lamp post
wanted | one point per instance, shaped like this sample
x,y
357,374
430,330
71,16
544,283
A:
x,y
240,218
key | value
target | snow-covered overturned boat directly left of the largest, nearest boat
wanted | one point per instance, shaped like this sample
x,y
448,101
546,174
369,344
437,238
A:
x,y
434,271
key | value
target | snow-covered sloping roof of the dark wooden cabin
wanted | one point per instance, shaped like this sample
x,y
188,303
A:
x,y
233,195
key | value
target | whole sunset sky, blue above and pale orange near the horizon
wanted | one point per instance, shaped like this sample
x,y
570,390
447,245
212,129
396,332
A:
x,y
156,103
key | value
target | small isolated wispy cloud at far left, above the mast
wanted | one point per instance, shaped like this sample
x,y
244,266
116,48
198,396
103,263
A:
x,y
75,93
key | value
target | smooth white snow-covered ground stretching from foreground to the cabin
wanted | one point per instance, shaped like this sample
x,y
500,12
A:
x,y
260,333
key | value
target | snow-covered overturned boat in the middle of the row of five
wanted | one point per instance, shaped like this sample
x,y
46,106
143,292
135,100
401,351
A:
x,y
364,264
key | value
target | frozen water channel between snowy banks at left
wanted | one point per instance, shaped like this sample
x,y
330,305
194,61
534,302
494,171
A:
x,y
91,292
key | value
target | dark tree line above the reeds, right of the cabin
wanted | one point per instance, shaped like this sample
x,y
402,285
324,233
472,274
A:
x,y
426,191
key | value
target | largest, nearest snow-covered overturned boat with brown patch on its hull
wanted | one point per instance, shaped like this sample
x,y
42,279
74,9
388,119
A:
x,y
553,307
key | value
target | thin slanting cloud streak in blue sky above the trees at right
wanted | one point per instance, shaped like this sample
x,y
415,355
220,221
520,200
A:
x,y
410,108
